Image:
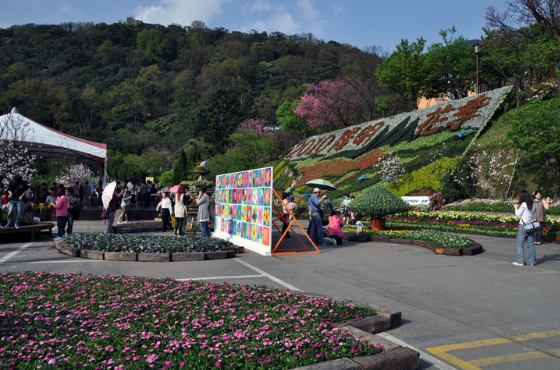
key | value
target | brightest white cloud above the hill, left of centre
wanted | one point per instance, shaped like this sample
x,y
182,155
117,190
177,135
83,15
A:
x,y
182,12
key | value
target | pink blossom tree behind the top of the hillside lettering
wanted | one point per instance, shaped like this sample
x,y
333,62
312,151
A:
x,y
328,105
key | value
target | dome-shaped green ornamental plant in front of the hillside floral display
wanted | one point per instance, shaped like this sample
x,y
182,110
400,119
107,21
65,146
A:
x,y
377,202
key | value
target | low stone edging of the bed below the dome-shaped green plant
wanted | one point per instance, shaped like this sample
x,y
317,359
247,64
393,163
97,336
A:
x,y
475,248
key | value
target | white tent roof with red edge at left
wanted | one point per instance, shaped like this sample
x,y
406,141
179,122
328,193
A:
x,y
47,142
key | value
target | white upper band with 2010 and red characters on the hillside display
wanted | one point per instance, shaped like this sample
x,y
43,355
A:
x,y
467,113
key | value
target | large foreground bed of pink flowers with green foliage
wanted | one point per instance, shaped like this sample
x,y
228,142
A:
x,y
74,321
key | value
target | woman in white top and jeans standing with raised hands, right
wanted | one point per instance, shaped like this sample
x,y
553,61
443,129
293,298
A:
x,y
526,208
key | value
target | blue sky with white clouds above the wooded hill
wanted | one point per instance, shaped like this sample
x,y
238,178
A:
x,y
361,23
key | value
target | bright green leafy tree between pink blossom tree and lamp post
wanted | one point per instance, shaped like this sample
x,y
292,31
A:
x,y
404,72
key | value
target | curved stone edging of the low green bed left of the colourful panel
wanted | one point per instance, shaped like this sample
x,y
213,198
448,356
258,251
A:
x,y
70,250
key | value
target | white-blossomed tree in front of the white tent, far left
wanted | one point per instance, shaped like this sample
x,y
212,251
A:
x,y
16,158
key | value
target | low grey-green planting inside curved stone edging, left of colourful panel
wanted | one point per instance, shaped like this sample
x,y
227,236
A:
x,y
145,244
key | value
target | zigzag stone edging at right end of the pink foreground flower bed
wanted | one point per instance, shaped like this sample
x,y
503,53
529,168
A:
x,y
393,357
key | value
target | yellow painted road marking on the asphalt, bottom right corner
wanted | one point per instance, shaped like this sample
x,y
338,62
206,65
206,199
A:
x,y
442,351
